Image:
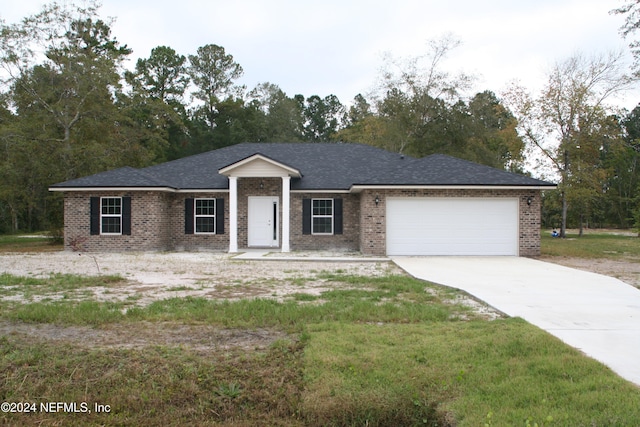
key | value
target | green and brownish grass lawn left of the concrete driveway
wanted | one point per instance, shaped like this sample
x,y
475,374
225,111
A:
x,y
377,352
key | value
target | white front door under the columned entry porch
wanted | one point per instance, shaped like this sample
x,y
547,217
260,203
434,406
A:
x,y
263,222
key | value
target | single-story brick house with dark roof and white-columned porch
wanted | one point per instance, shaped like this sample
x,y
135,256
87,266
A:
x,y
306,196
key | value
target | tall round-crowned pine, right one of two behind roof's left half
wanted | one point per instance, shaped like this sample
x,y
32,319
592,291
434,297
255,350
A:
x,y
213,72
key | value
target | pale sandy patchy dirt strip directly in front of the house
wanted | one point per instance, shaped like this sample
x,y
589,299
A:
x,y
156,276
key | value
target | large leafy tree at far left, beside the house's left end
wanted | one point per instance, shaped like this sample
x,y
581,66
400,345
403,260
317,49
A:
x,y
62,69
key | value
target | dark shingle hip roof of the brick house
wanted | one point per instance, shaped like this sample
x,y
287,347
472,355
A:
x,y
323,166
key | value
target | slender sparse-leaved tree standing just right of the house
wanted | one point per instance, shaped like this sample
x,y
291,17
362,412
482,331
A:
x,y
566,121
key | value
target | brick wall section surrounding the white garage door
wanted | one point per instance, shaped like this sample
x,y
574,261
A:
x,y
373,218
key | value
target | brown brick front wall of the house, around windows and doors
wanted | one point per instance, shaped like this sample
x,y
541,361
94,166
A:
x,y
157,219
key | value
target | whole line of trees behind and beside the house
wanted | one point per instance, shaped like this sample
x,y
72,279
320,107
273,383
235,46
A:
x,y
69,108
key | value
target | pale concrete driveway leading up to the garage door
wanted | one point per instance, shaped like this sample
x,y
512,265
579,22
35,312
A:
x,y
596,314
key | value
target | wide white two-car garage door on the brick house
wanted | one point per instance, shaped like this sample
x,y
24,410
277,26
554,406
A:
x,y
452,226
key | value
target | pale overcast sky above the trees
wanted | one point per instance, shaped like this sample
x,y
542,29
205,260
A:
x,y
336,46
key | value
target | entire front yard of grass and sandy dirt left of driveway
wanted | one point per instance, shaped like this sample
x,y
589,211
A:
x,y
201,339
